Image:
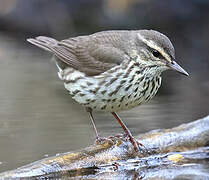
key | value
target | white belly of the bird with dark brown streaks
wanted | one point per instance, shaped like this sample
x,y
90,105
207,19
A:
x,y
112,93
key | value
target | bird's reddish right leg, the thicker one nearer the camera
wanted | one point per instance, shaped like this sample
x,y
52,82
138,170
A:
x,y
135,143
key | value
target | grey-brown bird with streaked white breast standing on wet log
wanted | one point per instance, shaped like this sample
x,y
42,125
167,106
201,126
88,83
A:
x,y
112,70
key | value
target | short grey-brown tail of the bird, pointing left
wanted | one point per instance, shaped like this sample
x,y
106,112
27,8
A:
x,y
43,42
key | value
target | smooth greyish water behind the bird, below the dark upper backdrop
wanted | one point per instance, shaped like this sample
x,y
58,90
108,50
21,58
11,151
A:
x,y
38,117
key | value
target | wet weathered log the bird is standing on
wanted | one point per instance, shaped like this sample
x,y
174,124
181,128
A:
x,y
165,146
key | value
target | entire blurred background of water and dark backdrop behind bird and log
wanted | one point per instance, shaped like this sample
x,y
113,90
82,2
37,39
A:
x,y
37,116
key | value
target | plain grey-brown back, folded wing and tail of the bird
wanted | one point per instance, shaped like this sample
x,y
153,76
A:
x,y
93,54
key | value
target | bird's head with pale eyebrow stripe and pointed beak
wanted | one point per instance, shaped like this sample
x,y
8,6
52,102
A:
x,y
155,49
